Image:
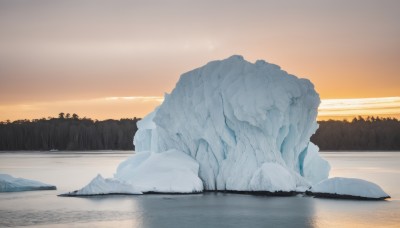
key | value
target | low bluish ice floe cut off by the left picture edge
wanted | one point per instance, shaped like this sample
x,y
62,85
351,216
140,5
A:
x,y
12,184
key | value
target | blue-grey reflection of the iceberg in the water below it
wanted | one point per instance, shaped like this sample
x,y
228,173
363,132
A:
x,y
226,210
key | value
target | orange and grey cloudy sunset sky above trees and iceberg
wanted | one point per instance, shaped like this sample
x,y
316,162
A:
x,y
116,59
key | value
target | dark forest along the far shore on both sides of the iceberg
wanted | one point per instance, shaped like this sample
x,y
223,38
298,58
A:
x,y
69,132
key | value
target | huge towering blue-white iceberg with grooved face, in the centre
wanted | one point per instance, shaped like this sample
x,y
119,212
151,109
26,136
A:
x,y
230,125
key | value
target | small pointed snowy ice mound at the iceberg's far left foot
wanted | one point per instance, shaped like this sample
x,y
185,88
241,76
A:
x,y
99,186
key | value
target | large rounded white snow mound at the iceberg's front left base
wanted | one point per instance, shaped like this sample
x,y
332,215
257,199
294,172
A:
x,y
171,171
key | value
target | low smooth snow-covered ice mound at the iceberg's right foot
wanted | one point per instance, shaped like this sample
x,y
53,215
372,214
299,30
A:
x,y
339,186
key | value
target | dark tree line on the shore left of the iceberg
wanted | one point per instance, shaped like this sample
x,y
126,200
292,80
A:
x,y
67,132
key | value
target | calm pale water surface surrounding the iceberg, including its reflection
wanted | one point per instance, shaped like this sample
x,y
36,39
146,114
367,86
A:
x,y
70,171
